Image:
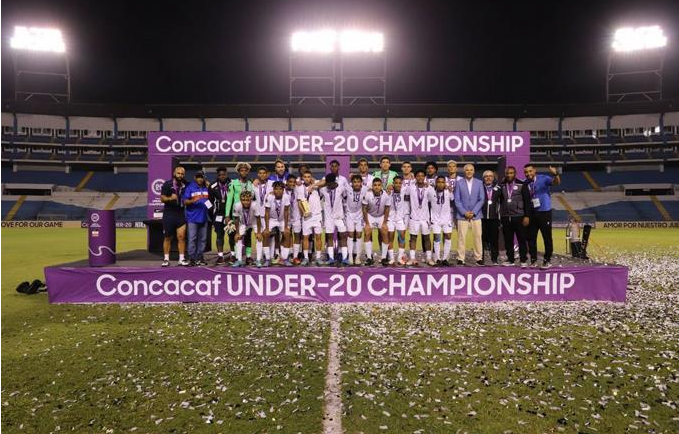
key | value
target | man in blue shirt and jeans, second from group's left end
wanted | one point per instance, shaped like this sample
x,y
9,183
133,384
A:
x,y
196,199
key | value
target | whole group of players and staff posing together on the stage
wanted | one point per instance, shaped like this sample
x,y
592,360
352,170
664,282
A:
x,y
281,218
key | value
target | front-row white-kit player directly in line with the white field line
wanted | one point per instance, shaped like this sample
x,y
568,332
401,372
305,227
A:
x,y
334,195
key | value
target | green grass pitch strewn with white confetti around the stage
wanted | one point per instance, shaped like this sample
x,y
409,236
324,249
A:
x,y
490,368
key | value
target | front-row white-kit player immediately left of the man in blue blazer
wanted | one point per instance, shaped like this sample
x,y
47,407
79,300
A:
x,y
440,205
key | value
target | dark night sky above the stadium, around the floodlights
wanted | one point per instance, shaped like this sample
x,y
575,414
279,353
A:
x,y
439,52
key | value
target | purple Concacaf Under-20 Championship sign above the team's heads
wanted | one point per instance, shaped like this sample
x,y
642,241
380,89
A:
x,y
411,143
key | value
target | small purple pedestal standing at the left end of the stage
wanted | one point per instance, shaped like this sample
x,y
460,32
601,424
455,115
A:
x,y
101,235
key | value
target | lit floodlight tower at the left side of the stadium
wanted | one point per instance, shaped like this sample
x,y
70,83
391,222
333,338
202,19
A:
x,y
41,66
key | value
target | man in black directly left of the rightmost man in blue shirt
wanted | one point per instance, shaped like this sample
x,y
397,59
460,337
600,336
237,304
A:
x,y
514,209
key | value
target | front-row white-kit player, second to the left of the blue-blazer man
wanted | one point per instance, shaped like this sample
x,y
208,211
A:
x,y
419,196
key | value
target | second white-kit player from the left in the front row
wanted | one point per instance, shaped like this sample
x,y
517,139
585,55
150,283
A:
x,y
276,216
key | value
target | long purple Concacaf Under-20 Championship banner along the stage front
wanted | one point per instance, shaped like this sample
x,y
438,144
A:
x,y
129,285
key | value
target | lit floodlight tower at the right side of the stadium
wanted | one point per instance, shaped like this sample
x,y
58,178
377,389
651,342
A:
x,y
635,63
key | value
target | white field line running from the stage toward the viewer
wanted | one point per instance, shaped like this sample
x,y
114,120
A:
x,y
332,413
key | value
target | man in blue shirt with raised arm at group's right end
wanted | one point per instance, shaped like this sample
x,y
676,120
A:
x,y
540,214
